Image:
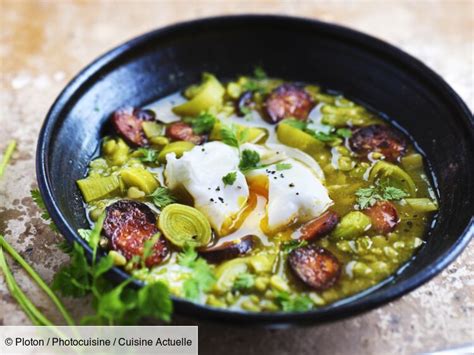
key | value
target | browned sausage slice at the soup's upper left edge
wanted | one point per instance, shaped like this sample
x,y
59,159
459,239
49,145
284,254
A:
x,y
128,124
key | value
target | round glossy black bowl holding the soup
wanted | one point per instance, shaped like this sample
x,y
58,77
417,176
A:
x,y
163,61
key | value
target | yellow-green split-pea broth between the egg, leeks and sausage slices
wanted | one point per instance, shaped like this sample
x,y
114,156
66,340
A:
x,y
365,260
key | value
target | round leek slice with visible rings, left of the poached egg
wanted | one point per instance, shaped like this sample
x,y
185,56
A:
x,y
184,225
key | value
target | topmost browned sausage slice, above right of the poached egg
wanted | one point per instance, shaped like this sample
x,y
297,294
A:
x,y
288,100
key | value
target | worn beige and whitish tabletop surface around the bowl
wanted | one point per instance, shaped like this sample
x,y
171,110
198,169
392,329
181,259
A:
x,y
44,44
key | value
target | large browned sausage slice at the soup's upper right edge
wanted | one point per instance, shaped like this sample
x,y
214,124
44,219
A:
x,y
378,138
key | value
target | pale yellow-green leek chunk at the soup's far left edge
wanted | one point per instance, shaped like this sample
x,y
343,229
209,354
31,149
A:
x,y
95,188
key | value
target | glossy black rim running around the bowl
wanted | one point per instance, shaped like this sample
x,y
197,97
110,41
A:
x,y
341,309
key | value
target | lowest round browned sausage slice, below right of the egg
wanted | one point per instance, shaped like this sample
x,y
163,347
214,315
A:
x,y
317,267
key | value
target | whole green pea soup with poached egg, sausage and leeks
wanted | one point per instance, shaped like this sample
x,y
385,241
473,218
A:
x,y
258,194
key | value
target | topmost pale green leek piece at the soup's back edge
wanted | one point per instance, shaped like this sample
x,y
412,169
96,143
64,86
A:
x,y
208,95
